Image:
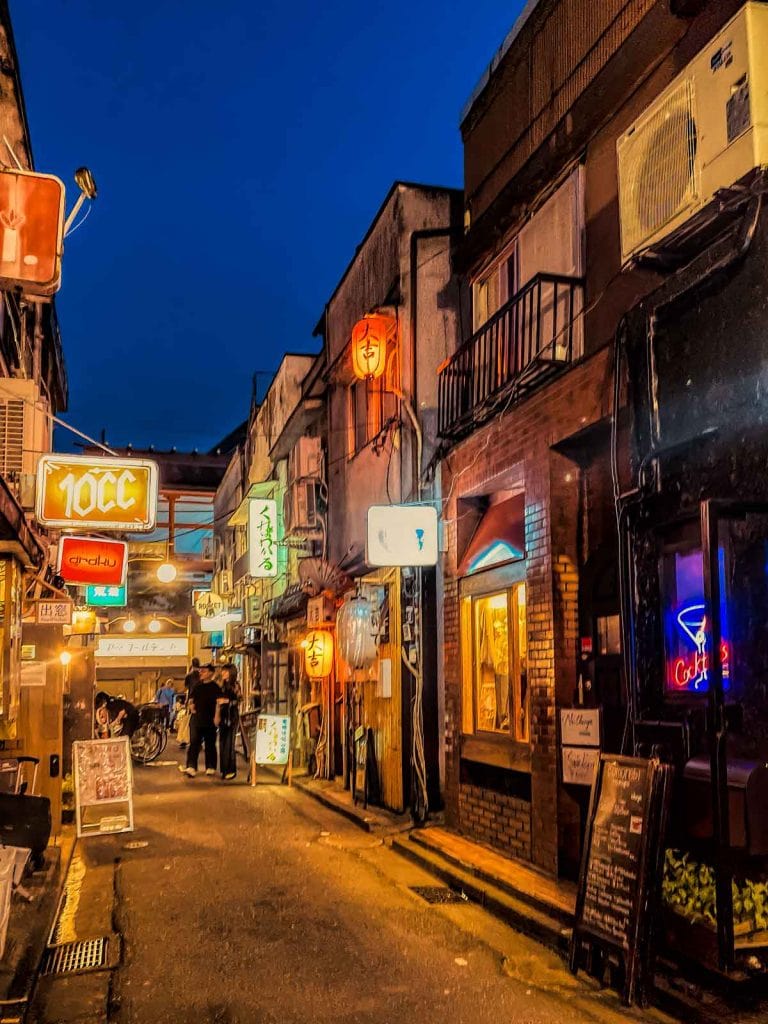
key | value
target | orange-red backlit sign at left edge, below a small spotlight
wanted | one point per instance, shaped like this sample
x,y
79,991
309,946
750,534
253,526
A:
x,y
32,208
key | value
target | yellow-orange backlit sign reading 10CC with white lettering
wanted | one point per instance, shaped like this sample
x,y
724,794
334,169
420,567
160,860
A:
x,y
98,494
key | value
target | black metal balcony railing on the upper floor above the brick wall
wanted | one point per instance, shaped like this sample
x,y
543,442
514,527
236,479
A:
x,y
531,339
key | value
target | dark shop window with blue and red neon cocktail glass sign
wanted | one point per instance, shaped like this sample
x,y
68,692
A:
x,y
688,633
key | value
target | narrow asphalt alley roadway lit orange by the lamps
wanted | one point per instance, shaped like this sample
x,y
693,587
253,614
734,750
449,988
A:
x,y
262,906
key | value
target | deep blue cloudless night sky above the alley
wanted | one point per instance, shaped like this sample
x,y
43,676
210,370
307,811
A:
x,y
241,150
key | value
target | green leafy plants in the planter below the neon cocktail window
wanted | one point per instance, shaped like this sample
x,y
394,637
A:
x,y
689,888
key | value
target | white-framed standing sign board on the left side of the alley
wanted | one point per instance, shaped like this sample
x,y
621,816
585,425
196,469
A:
x,y
104,786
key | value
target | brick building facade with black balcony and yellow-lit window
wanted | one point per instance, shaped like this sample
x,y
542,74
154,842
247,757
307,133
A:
x,y
536,445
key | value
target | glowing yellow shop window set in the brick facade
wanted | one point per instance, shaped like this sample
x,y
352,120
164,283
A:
x,y
495,647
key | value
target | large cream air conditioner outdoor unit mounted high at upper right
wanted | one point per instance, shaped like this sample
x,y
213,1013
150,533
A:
x,y
705,133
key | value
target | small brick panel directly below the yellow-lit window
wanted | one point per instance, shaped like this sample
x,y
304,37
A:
x,y
496,819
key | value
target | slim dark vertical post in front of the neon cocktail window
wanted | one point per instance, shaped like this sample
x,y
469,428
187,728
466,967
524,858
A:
x,y
717,737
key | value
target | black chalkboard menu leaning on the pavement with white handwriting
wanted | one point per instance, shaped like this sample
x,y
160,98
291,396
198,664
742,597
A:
x,y
621,867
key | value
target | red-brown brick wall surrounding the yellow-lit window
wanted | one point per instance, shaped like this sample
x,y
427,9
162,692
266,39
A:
x,y
516,450
